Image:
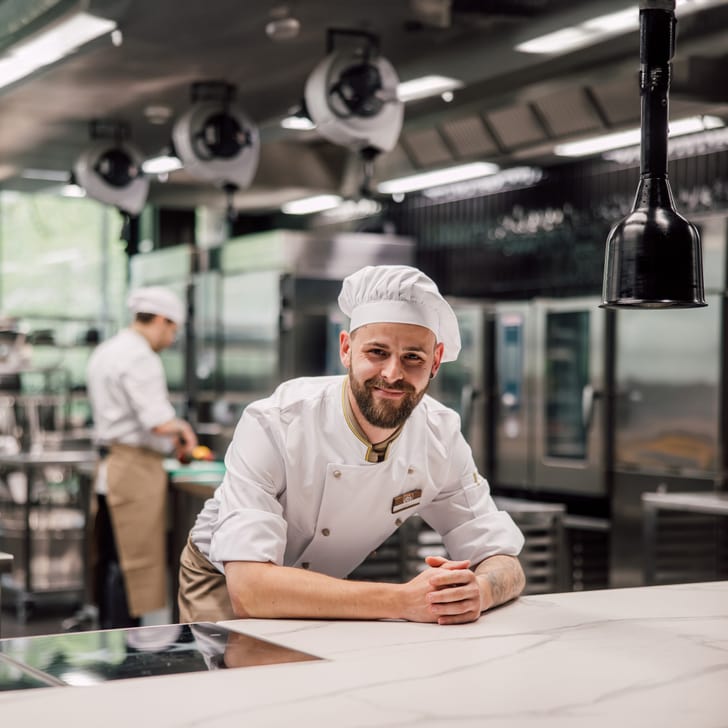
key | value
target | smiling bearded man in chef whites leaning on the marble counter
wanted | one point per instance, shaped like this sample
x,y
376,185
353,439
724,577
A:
x,y
320,473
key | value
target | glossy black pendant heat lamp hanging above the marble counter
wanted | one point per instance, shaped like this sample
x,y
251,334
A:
x,y
653,257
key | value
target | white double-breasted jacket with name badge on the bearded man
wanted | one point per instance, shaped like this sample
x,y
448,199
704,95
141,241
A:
x,y
298,491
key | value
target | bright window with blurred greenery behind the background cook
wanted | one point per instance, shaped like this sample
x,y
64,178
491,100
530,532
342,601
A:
x,y
63,278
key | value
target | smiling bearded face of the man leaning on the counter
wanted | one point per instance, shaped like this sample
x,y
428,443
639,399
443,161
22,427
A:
x,y
390,367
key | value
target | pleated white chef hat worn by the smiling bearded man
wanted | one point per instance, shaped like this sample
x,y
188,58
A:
x,y
400,294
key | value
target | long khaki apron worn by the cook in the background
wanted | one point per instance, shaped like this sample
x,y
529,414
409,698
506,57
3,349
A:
x,y
137,502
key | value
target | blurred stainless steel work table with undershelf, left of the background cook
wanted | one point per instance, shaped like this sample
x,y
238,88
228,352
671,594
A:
x,y
37,489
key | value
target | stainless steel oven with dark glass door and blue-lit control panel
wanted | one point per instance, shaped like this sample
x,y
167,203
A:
x,y
548,410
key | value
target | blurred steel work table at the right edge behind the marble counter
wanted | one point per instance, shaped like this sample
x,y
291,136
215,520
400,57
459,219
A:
x,y
706,503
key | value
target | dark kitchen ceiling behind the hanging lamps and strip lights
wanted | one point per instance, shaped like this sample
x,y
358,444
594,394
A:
x,y
512,108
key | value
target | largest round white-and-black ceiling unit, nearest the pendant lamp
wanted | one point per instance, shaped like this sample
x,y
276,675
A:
x,y
351,96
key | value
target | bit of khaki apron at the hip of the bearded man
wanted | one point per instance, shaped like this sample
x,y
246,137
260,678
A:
x,y
203,594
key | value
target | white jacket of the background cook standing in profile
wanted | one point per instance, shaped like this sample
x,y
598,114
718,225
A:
x,y
127,388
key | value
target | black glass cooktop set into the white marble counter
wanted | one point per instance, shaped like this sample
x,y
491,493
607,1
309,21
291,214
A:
x,y
87,658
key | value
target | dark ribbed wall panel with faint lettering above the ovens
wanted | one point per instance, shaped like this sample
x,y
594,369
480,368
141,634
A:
x,y
548,239
